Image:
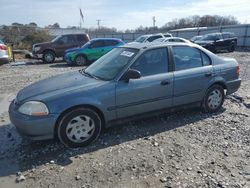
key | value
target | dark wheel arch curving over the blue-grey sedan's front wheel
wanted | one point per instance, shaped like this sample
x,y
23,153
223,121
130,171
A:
x,y
92,107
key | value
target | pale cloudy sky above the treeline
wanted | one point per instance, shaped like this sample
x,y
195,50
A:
x,y
128,14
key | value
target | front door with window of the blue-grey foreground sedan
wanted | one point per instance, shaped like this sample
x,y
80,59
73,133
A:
x,y
153,91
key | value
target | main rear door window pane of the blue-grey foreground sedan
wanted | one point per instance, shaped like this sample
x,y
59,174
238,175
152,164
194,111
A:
x,y
186,57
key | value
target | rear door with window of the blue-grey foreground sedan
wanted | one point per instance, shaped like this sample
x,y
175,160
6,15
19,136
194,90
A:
x,y
192,74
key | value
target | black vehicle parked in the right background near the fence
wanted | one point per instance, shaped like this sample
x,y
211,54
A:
x,y
218,41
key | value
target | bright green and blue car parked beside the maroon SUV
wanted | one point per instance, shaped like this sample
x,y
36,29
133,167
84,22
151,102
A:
x,y
91,51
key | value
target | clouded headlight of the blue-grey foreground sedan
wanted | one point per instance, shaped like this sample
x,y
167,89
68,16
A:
x,y
34,108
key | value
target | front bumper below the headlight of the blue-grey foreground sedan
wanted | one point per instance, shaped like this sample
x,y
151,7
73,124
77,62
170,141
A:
x,y
35,128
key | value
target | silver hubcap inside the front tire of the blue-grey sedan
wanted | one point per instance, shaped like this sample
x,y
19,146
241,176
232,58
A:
x,y
80,128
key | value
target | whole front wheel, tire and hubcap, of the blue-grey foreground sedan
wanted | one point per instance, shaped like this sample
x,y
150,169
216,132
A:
x,y
79,127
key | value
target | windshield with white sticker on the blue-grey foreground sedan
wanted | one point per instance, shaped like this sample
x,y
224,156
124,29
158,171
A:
x,y
111,64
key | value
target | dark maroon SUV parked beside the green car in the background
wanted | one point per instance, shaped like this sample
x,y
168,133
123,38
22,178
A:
x,y
48,51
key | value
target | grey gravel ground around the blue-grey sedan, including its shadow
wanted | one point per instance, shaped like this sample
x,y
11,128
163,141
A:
x,y
182,149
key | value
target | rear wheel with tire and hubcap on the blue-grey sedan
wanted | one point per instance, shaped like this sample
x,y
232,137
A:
x,y
213,99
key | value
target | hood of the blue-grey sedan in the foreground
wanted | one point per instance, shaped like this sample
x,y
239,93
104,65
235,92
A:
x,y
58,84
